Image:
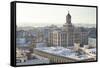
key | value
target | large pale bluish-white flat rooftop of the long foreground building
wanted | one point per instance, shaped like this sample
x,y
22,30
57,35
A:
x,y
61,51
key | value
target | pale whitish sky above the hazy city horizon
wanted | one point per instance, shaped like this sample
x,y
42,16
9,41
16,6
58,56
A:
x,y
44,15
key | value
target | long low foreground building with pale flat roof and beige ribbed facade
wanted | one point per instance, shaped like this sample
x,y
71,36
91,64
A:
x,y
62,55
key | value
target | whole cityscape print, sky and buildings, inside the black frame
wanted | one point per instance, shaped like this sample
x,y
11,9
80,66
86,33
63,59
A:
x,y
46,45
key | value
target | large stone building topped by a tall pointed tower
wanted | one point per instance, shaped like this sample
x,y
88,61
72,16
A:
x,y
68,35
